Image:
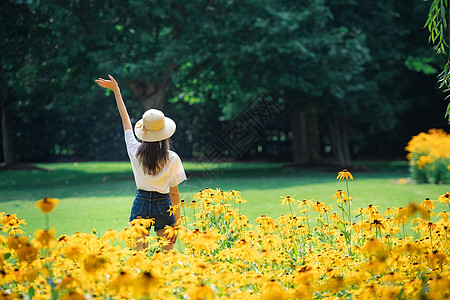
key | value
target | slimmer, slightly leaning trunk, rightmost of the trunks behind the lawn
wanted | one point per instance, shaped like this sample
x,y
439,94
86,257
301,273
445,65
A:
x,y
338,133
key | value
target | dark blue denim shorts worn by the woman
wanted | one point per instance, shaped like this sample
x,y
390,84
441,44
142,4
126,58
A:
x,y
152,205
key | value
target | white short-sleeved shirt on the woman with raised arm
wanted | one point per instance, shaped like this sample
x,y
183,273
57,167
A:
x,y
171,175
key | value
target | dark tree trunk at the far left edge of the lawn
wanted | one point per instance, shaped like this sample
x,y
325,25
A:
x,y
9,152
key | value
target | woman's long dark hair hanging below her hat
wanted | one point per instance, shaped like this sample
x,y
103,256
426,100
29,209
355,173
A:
x,y
153,156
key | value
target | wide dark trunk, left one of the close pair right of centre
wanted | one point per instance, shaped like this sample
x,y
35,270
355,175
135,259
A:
x,y
306,136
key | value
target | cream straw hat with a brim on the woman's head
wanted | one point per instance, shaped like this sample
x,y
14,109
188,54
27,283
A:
x,y
154,126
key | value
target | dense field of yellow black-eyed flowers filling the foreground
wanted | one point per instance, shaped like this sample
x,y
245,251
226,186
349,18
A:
x,y
349,253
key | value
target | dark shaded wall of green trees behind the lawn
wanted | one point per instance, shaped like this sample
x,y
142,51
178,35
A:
x,y
354,80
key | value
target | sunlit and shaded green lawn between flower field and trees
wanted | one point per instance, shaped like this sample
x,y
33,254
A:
x,y
99,194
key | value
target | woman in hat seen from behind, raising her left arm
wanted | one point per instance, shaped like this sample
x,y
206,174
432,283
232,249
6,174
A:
x,y
157,170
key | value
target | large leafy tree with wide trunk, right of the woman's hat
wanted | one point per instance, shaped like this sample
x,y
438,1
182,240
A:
x,y
288,49
